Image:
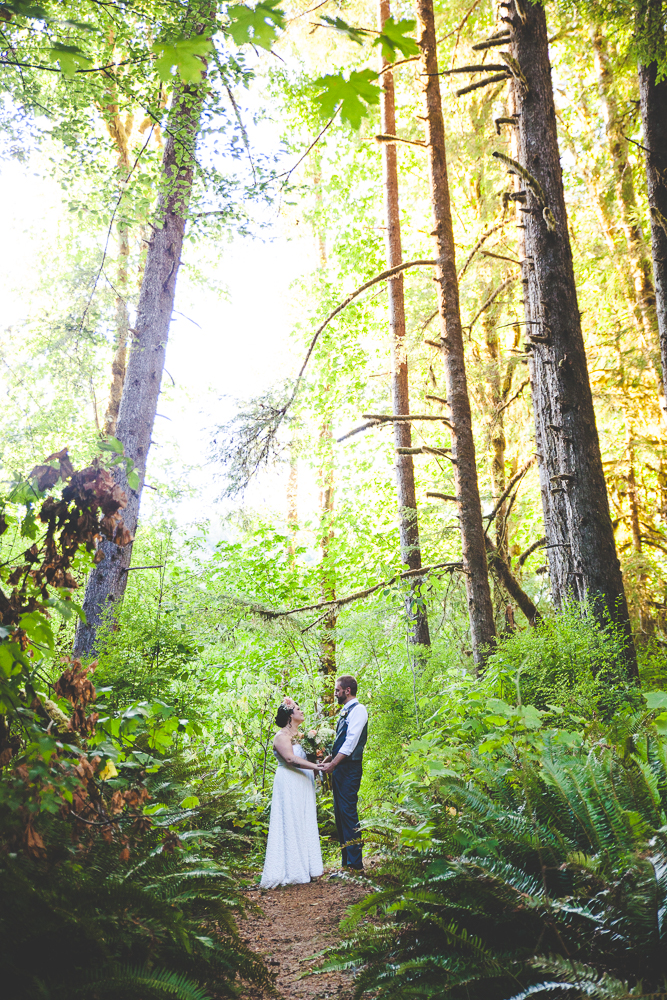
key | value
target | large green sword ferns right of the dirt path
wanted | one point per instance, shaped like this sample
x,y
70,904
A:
x,y
554,863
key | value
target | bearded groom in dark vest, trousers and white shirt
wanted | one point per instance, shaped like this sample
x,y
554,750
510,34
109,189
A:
x,y
345,763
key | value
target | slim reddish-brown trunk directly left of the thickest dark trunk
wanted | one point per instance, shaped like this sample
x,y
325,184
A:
x,y
482,626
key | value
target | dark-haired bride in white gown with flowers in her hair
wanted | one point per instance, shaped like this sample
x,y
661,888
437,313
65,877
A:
x,y
293,852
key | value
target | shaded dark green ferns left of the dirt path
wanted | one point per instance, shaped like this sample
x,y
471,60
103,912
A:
x,y
88,922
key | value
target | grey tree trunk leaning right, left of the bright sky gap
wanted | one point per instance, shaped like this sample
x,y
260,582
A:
x,y
108,580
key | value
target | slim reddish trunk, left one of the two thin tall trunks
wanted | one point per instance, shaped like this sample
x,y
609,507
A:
x,y
408,520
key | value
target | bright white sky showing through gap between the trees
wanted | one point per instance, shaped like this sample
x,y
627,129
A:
x,y
229,347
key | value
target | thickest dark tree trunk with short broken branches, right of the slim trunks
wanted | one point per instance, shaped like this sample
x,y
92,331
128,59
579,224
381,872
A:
x,y
582,551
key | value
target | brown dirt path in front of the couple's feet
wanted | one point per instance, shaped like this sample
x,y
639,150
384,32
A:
x,y
296,922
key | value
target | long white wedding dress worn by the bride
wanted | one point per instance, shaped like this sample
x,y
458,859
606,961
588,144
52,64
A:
x,y
293,852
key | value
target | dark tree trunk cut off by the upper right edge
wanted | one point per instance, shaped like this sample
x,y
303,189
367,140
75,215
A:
x,y
650,32
